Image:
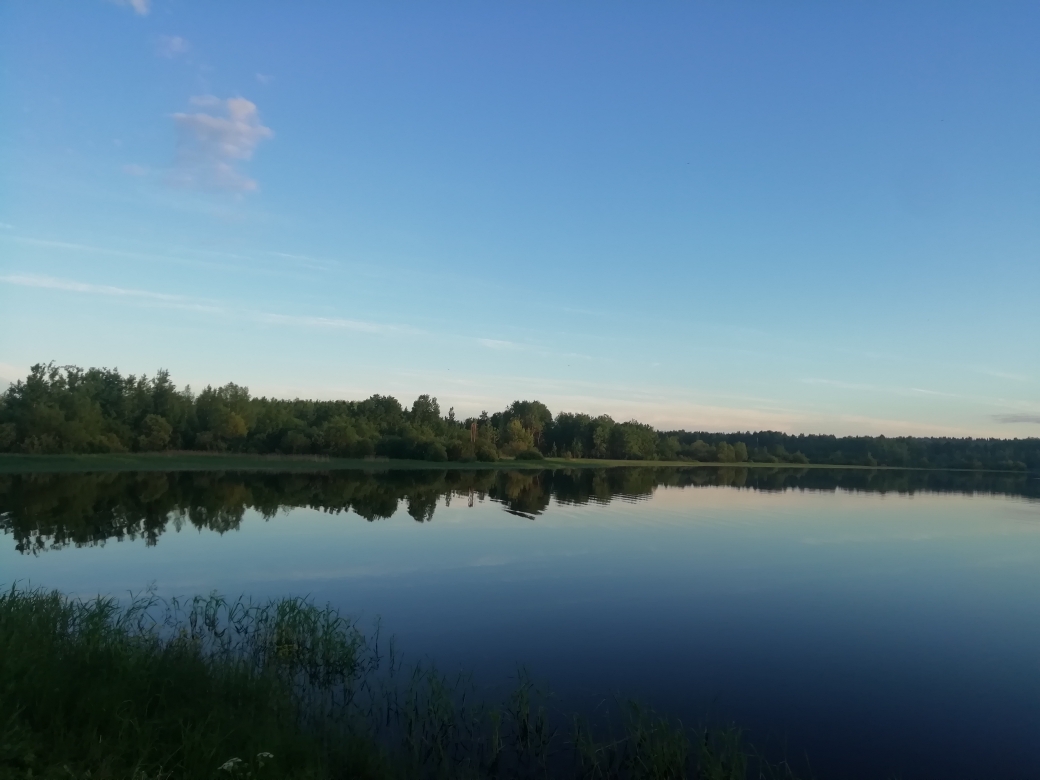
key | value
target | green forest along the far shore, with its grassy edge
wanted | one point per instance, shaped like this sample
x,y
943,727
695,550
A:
x,y
71,410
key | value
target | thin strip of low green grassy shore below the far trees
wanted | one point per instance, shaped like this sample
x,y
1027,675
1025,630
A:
x,y
56,464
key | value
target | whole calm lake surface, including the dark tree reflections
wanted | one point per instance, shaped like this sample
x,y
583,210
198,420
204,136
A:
x,y
887,625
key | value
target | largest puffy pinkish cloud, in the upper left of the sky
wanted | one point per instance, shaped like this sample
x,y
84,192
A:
x,y
211,145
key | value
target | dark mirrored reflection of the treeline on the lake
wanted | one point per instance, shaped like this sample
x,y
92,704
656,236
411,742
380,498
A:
x,y
54,511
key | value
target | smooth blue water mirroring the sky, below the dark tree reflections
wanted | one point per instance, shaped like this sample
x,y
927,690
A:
x,y
903,632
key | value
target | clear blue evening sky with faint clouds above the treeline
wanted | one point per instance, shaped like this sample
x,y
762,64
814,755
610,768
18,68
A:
x,y
813,218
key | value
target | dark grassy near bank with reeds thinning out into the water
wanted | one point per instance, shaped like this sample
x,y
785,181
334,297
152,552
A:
x,y
211,689
